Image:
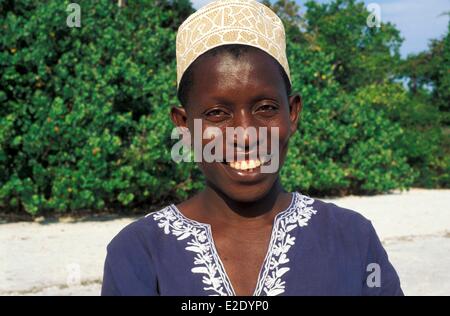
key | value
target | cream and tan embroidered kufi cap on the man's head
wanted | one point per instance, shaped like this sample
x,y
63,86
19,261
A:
x,y
224,22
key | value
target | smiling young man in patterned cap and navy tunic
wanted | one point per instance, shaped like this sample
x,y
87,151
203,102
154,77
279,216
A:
x,y
244,234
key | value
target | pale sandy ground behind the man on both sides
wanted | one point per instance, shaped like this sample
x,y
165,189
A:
x,y
66,257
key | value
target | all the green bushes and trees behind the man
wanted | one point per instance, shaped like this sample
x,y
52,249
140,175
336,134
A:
x,y
84,111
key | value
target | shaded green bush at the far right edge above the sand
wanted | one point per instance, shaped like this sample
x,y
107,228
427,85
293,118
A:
x,y
422,141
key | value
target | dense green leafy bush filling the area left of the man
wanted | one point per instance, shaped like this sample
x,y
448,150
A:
x,y
84,114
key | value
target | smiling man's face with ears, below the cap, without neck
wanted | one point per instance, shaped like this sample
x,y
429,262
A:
x,y
245,92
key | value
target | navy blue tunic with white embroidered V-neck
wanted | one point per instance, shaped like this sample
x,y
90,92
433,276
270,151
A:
x,y
316,248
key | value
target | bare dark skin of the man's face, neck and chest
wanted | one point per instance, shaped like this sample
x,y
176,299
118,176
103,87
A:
x,y
240,206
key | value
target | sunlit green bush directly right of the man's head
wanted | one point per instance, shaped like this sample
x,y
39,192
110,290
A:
x,y
345,144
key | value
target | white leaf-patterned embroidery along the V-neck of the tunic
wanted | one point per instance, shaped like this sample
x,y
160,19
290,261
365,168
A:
x,y
199,240
